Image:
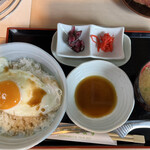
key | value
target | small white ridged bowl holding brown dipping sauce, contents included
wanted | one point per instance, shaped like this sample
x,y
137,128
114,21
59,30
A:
x,y
100,96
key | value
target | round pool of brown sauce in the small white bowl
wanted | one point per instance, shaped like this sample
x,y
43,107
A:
x,y
95,97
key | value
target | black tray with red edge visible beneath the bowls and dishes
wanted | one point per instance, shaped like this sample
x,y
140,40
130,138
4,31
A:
x,y
140,42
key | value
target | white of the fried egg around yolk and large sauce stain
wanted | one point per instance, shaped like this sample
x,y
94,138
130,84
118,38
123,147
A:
x,y
26,82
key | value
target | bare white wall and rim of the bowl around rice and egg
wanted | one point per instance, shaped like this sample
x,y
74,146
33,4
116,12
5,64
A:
x,y
14,51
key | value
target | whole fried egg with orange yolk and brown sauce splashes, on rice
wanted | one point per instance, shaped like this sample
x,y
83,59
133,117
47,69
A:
x,y
23,94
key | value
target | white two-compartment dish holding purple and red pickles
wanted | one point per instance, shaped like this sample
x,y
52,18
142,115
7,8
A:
x,y
93,37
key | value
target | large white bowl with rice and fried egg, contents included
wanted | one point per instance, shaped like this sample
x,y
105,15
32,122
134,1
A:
x,y
42,99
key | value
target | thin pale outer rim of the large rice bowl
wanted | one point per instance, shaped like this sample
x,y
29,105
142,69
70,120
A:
x,y
3,47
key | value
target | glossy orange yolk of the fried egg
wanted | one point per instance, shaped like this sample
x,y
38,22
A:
x,y
9,94
